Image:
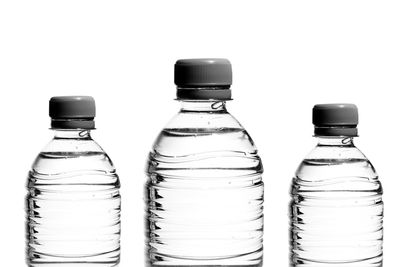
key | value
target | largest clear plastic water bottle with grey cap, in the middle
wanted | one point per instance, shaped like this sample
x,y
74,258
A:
x,y
204,189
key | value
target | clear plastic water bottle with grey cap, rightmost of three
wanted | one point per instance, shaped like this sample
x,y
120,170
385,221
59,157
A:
x,y
336,207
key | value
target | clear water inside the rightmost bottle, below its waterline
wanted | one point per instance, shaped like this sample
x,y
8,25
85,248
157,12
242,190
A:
x,y
336,215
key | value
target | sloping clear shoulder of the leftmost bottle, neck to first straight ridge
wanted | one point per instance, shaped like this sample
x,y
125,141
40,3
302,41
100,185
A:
x,y
73,161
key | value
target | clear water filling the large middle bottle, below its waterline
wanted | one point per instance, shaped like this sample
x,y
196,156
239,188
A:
x,y
204,199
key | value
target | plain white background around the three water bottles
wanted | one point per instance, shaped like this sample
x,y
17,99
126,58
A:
x,y
286,56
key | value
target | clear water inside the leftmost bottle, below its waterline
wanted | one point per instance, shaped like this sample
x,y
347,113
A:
x,y
73,211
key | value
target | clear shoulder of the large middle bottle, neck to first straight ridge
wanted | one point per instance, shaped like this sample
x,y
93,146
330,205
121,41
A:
x,y
208,142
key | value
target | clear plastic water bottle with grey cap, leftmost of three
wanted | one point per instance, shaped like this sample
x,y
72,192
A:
x,y
73,200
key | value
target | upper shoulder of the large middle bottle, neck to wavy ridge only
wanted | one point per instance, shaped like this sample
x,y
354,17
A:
x,y
203,132
